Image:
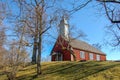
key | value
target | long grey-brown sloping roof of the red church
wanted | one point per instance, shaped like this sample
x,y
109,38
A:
x,y
78,44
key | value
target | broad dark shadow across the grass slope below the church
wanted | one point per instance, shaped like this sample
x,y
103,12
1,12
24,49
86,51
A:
x,y
80,71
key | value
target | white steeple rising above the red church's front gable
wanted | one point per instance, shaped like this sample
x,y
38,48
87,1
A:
x,y
64,28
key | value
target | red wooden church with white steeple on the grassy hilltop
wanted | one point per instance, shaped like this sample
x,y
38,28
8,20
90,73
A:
x,y
68,49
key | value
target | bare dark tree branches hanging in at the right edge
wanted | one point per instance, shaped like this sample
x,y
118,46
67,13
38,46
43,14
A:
x,y
112,11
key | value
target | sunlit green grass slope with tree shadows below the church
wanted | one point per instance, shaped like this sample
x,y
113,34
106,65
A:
x,y
90,70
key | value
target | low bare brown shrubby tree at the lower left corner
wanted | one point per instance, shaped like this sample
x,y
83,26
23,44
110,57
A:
x,y
13,59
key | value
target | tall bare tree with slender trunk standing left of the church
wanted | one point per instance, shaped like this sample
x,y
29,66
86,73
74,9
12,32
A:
x,y
37,23
